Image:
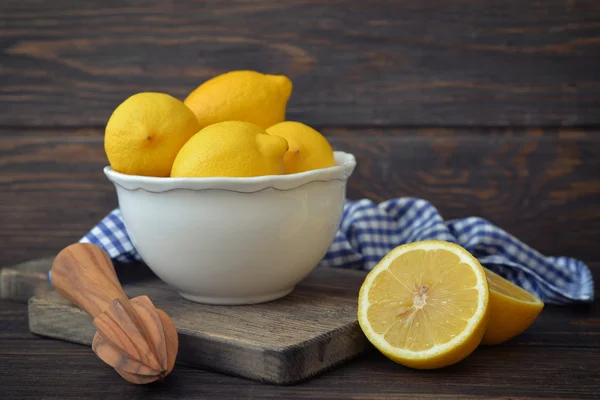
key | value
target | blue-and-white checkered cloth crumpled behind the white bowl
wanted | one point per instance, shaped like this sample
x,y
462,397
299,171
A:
x,y
368,231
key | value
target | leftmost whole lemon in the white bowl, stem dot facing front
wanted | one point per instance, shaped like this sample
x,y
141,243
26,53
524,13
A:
x,y
145,133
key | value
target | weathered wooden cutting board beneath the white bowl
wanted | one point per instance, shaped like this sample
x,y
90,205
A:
x,y
281,342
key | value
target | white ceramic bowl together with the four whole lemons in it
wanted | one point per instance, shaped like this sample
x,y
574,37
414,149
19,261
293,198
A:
x,y
220,208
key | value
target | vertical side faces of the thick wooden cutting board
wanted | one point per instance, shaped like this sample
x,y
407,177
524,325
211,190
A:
x,y
282,365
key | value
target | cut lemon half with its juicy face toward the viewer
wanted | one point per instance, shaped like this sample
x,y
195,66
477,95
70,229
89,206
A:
x,y
425,304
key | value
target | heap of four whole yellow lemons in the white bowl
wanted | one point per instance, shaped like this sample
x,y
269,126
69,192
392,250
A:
x,y
232,125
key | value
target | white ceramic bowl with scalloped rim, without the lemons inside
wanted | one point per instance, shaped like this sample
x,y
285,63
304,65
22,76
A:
x,y
234,240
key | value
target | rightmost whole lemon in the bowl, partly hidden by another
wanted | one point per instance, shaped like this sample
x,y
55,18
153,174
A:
x,y
308,149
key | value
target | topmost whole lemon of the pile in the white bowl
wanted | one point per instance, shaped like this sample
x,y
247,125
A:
x,y
241,96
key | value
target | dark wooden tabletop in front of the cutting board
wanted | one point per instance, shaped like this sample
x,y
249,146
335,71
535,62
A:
x,y
557,357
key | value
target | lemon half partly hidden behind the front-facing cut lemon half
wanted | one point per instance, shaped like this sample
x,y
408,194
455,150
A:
x,y
512,310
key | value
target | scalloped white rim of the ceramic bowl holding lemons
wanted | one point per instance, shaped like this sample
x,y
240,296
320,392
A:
x,y
345,164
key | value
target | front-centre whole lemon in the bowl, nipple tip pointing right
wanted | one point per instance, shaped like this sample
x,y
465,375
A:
x,y
233,149
